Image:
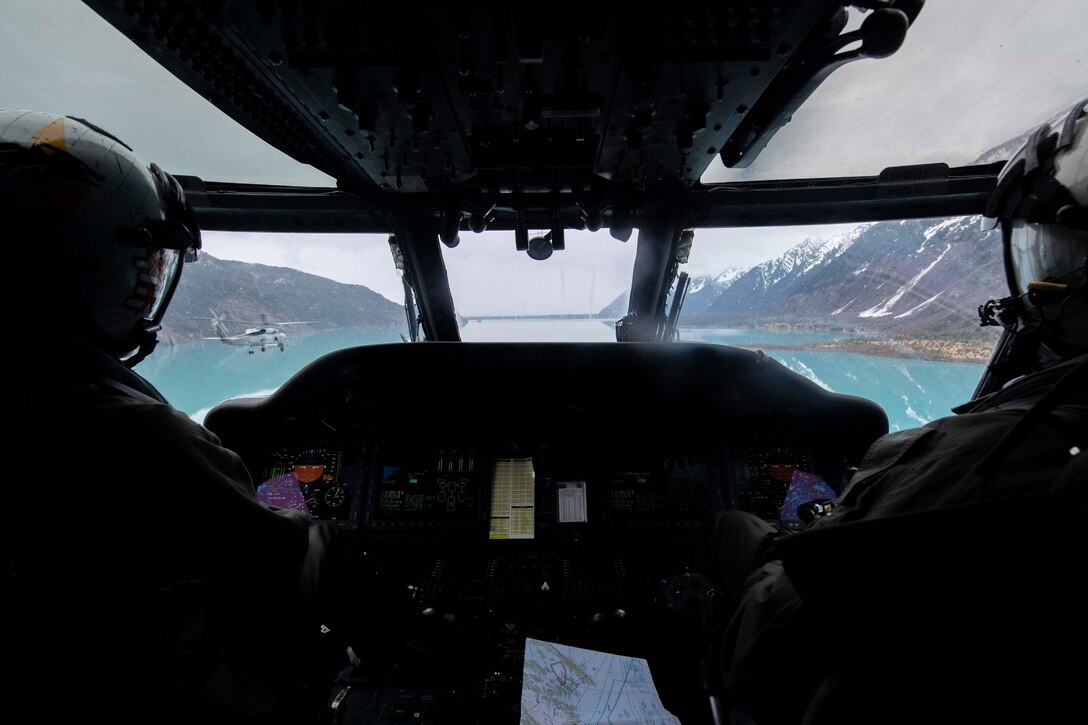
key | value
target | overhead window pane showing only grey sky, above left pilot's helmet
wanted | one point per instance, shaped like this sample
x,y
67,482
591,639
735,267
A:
x,y
63,58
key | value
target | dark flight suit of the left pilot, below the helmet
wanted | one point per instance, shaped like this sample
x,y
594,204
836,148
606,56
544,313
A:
x,y
159,588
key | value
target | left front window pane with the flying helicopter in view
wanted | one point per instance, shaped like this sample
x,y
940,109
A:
x,y
257,309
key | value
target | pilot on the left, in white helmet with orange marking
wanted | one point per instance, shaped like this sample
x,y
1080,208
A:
x,y
147,581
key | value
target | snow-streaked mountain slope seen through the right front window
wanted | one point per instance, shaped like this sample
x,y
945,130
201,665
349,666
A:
x,y
900,277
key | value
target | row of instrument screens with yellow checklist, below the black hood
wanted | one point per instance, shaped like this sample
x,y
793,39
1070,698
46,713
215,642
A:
x,y
391,486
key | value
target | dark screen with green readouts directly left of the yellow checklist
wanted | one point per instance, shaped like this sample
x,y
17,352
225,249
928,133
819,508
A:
x,y
437,485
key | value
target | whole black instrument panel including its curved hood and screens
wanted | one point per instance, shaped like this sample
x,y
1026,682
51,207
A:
x,y
540,438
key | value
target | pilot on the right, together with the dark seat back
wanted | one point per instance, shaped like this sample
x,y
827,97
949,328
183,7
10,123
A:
x,y
790,653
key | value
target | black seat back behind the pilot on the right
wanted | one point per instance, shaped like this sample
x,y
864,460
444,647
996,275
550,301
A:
x,y
972,613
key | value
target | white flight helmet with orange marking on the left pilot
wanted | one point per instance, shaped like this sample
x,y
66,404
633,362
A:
x,y
103,237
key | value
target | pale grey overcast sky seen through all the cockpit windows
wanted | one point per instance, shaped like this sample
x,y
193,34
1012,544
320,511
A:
x,y
971,75
